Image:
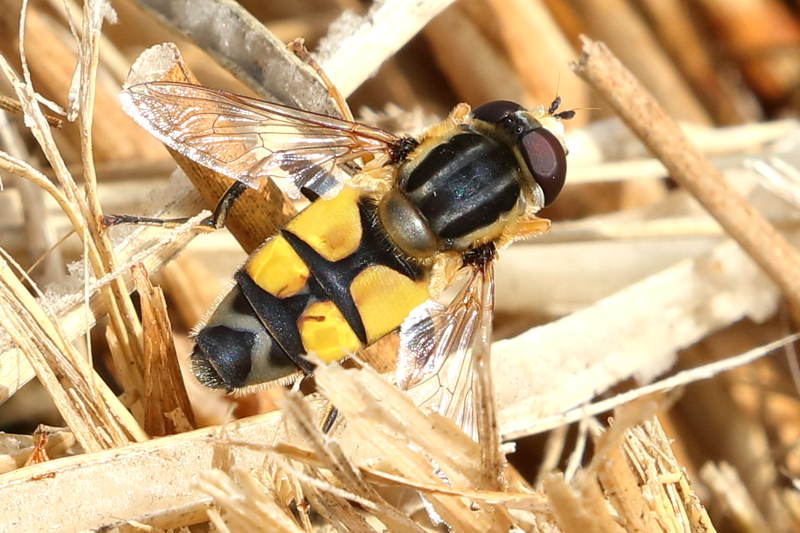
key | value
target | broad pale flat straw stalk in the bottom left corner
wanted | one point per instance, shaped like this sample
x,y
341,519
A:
x,y
151,482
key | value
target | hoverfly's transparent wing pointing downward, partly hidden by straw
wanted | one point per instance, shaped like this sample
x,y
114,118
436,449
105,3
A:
x,y
438,346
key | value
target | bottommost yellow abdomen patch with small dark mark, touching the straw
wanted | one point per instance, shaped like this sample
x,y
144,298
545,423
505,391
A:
x,y
325,332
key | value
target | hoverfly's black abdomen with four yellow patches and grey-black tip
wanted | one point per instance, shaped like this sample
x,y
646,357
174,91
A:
x,y
328,284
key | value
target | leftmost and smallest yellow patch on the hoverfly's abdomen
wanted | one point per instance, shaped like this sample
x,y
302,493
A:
x,y
278,269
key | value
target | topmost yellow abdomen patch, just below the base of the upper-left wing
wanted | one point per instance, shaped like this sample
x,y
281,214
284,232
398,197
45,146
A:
x,y
331,227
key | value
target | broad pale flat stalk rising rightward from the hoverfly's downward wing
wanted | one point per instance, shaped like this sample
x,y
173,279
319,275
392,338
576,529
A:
x,y
568,370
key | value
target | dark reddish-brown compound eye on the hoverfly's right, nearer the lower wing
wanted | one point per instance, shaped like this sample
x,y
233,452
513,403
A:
x,y
546,161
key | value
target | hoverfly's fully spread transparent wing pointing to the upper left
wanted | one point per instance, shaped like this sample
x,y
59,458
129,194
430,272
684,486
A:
x,y
248,139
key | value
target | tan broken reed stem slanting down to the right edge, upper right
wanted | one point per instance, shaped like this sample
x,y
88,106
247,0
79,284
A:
x,y
686,165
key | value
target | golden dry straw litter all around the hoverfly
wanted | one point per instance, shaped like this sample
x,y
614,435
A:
x,y
644,359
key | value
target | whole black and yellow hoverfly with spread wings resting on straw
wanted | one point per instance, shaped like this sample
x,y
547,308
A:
x,y
393,220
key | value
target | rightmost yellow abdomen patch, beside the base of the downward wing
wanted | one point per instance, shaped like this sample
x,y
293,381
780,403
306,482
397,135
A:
x,y
384,297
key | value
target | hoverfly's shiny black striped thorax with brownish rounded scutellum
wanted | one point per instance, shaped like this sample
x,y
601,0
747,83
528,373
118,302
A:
x,y
452,193
